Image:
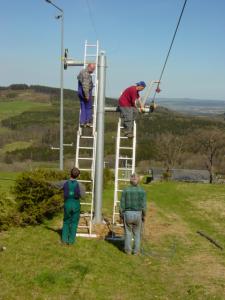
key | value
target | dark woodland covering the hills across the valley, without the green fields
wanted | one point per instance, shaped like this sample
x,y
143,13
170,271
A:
x,y
164,138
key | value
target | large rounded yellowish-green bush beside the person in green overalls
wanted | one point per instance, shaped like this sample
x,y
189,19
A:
x,y
37,197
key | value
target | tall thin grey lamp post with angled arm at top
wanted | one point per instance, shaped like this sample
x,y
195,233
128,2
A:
x,y
61,16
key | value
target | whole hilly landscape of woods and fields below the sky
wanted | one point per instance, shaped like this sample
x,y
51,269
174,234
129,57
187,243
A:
x,y
29,127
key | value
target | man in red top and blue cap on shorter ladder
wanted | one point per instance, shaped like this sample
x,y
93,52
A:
x,y
128,103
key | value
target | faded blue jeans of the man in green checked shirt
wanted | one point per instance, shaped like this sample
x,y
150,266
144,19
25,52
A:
x,y
133,224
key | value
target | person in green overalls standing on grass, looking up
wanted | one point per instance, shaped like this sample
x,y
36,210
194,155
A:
x,y
72,194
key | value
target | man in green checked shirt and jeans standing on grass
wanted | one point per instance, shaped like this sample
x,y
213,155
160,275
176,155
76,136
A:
x,y
133,211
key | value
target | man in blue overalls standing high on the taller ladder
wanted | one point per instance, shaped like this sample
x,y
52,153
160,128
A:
x,y
85,86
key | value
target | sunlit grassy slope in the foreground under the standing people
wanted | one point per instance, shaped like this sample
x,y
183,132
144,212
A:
x,y
176,263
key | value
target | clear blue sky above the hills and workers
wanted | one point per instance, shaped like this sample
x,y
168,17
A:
x,y
135,35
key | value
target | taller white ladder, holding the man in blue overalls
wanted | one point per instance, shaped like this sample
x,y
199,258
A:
x,y
86,149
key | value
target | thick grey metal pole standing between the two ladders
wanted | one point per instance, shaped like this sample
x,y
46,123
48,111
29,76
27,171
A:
x,y
99,166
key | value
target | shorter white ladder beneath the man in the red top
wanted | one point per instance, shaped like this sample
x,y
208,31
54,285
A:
x,y
124,167
